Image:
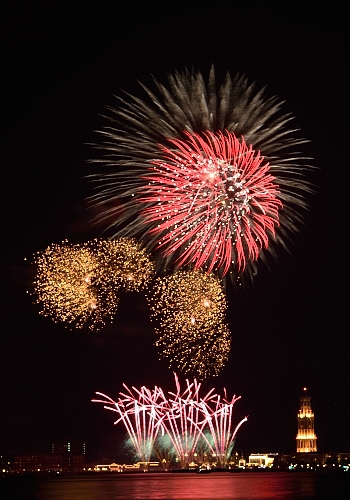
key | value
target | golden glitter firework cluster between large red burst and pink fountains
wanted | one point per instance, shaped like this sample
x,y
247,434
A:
x,y
189,309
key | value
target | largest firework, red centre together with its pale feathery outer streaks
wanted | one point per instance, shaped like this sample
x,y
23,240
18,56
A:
x,y
208,178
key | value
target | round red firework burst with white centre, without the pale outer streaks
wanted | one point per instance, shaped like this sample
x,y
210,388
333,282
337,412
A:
x,y
213,201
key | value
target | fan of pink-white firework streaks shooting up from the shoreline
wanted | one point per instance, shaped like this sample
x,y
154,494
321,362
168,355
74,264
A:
x,y
183,424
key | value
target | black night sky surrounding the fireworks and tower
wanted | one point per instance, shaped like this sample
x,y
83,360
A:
x,y
60,69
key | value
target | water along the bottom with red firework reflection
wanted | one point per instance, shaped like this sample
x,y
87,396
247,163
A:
x,y
221,486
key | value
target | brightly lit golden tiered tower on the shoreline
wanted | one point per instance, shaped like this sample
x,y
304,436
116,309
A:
x,y
306,437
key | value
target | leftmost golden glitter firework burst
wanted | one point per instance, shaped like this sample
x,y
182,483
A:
x,y
69,288
